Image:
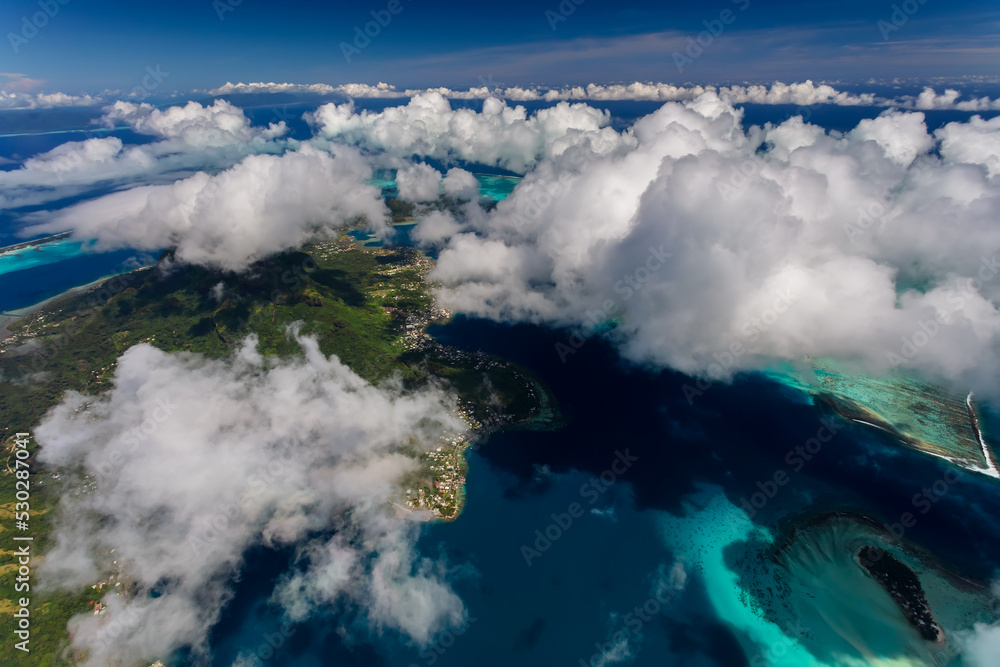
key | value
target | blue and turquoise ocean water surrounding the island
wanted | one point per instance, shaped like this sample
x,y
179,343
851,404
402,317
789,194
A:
x,y
682,524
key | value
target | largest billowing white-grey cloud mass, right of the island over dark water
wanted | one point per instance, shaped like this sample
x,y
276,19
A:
x,y
718,249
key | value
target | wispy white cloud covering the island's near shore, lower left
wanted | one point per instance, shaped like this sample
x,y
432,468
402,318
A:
x,y
191,462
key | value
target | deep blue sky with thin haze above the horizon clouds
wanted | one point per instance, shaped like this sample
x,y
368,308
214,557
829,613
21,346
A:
x,y
91,45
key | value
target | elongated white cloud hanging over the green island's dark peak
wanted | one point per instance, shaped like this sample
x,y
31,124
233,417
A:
x,y
262,205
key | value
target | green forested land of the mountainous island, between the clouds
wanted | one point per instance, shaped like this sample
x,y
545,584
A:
x,y
368,306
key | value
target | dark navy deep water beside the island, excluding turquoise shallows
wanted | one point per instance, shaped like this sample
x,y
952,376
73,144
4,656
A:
x,y
556,610
